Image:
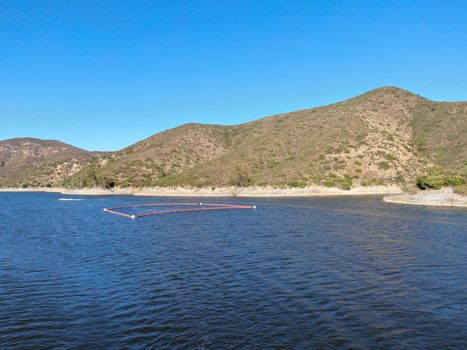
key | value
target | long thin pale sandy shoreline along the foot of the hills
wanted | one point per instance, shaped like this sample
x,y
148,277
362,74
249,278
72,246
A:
x,y
221,191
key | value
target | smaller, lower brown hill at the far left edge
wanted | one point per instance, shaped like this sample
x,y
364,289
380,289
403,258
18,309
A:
x,y
28,162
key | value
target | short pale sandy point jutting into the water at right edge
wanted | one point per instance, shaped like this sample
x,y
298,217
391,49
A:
x,y
444,198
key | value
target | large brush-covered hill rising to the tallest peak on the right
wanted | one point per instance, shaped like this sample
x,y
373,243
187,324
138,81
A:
x,y
387,135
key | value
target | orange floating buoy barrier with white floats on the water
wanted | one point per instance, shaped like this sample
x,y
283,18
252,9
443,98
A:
x,y
181,208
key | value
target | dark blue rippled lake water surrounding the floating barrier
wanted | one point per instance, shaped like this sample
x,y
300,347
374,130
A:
x,y
295,273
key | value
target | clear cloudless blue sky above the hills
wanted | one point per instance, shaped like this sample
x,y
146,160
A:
x,y
104,74
